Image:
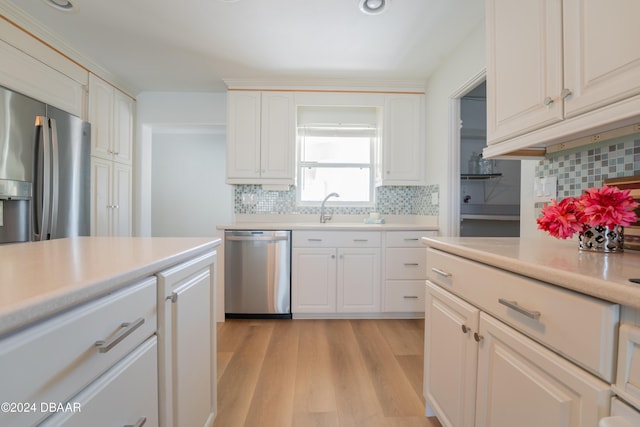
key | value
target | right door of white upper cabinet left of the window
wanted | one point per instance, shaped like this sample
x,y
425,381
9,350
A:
x,y
277,135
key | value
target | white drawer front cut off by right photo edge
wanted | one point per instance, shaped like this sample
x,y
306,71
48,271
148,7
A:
x,y
628,376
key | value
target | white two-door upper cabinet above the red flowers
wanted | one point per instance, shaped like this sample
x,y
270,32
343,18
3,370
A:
x,y
559,70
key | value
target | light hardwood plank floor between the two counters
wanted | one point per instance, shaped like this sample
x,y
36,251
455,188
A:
x,y
333,373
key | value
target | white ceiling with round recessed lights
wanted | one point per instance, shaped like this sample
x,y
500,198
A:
x,y
193,45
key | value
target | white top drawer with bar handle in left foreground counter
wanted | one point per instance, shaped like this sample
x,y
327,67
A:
x,y
67,343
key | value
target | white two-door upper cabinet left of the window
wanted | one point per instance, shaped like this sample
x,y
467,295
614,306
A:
x,y
261,137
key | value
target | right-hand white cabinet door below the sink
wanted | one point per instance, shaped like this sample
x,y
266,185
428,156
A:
x,y
358,282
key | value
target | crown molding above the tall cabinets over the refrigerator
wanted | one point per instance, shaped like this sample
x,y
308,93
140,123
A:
x,y
40,32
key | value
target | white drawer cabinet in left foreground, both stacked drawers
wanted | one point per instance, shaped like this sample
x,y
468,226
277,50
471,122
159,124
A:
x,y
84,354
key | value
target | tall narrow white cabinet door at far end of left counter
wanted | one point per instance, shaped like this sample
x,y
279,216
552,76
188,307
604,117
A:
x,y
187,342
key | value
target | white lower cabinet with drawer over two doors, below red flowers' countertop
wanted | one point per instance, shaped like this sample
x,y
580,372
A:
x,y
490,338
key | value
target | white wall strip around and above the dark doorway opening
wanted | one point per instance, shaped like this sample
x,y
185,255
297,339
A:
x,y
464,64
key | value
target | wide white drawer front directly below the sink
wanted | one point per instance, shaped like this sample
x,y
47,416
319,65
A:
x,y
345,239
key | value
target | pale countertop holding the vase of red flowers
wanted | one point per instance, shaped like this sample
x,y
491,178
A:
x,y
559,262
